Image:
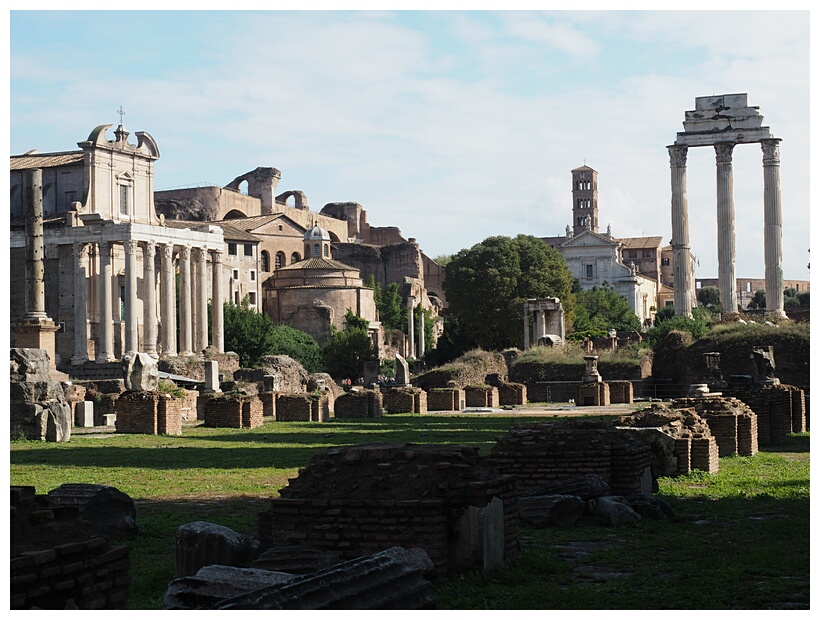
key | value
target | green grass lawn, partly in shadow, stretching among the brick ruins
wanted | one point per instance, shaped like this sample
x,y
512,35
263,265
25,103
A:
x,y
740,539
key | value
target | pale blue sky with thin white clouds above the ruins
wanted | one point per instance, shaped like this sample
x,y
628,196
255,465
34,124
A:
x,y
453,125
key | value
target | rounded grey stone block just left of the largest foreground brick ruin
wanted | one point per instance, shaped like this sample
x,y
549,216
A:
x,y
201,544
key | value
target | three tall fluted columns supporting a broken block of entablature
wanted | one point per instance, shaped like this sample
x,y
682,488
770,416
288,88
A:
x,y
772,220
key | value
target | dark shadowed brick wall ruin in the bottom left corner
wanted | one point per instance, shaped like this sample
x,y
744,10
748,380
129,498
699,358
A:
x,y
88,571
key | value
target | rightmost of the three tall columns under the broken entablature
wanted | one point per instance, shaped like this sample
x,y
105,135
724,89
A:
x,y
773,227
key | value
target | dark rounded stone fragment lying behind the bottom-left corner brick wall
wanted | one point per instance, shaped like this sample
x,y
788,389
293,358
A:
x,y
110,511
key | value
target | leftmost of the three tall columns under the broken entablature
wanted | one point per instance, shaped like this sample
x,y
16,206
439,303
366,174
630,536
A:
x,y
684,278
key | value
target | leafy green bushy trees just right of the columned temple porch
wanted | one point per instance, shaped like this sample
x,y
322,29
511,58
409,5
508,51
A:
x,y
252,335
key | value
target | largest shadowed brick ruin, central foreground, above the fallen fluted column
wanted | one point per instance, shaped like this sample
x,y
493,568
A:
x,y
377,496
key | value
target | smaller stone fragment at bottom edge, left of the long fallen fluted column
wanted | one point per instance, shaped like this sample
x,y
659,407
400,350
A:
x,y
217,582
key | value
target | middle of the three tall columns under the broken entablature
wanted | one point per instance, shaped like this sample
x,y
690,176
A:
x,y
726,227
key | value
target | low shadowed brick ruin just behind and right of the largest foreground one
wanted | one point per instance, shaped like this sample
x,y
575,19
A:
x,y
541,454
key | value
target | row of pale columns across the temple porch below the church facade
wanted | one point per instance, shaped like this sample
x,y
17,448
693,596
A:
x,y
193,304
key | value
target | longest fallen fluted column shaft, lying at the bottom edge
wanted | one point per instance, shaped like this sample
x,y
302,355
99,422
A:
x,y
389,579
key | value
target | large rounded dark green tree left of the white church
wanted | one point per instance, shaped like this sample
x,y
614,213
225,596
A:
x,y
487,285
